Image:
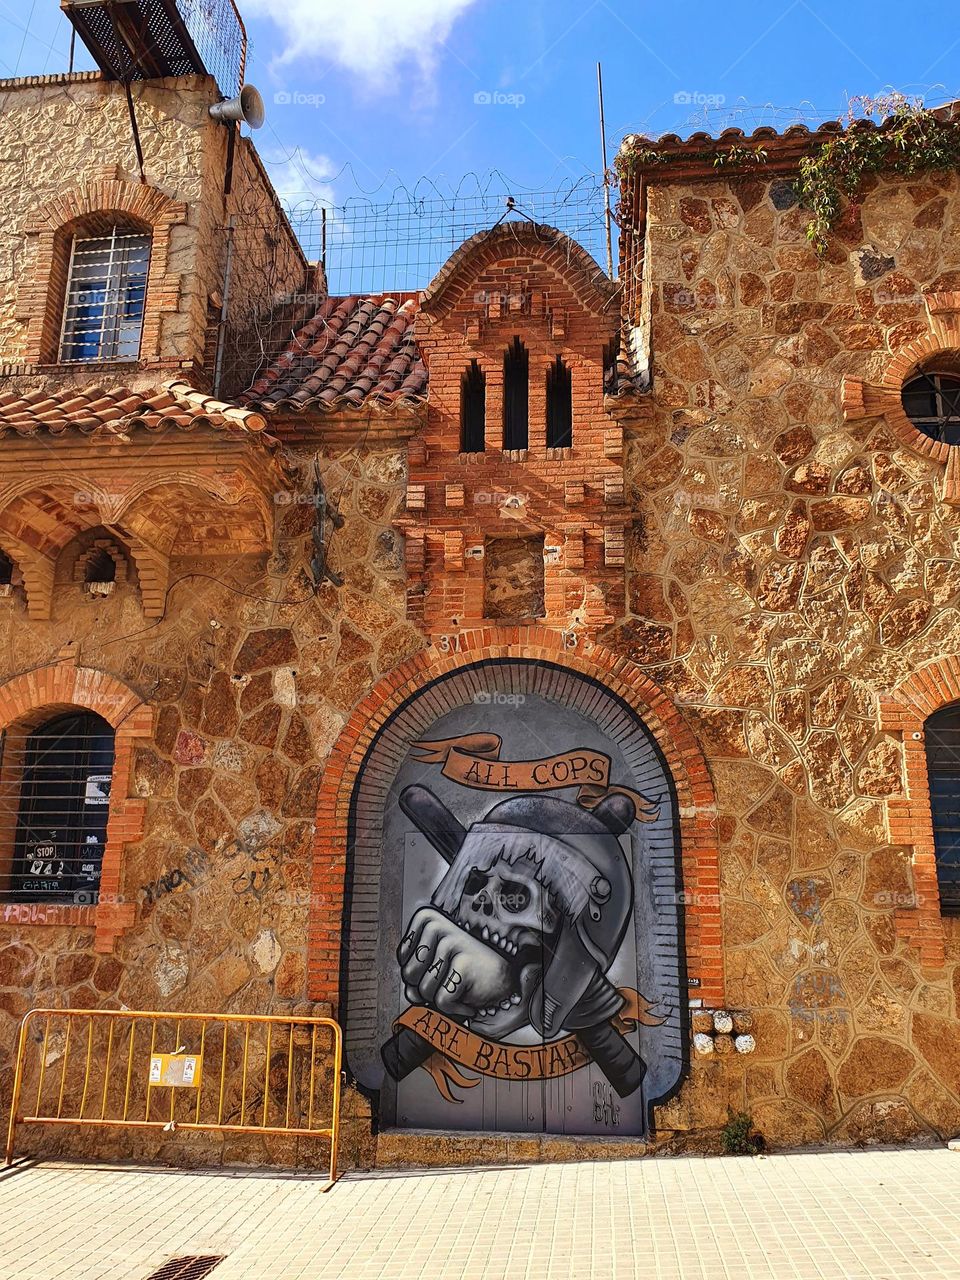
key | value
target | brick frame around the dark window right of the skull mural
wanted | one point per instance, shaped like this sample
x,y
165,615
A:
x,y
909,816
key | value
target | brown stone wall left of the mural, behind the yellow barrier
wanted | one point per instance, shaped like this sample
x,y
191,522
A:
x,y
250,676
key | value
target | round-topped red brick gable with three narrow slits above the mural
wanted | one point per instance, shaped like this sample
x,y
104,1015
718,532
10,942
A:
x,y
518,281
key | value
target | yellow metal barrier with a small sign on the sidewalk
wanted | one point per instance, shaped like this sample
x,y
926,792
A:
x,y
223,1073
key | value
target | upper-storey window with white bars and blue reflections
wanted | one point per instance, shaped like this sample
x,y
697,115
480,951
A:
x,y
107,287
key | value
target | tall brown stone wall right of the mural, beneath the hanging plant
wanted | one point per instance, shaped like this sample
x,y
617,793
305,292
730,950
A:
x,y
789,570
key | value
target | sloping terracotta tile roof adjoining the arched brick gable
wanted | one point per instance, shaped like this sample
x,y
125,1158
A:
x,y
354,353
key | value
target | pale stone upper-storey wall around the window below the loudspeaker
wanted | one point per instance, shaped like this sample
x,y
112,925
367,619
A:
x,y
67,148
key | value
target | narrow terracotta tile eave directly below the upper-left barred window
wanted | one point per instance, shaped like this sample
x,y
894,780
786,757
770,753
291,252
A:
x,y
95,412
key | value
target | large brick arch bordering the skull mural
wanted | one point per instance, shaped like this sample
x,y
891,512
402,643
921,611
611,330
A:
x,y
694,792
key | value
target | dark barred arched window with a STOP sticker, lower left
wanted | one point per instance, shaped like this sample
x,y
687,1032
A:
x,y
61,776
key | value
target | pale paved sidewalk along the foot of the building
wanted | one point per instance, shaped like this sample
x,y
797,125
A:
x,y
879,1214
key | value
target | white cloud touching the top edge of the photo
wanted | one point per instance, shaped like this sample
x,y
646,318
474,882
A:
x,y
372,39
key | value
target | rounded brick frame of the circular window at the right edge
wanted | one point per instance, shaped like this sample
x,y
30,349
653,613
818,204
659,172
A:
x,y
862,399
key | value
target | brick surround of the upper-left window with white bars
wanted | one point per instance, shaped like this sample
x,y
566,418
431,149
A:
x,y
94,208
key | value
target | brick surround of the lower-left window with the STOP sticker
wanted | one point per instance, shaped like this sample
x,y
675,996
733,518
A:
x,y
44,693
